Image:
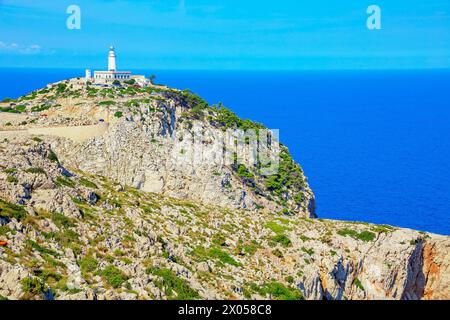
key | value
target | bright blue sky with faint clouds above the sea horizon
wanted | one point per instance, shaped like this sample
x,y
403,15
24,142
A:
x,y
227,34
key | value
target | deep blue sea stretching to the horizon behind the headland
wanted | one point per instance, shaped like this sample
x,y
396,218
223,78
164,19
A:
x,y
375,145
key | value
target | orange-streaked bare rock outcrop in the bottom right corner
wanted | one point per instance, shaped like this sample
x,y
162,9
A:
x,y
387,269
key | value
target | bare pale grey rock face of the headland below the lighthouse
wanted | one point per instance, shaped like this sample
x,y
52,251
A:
x,y
158,153
